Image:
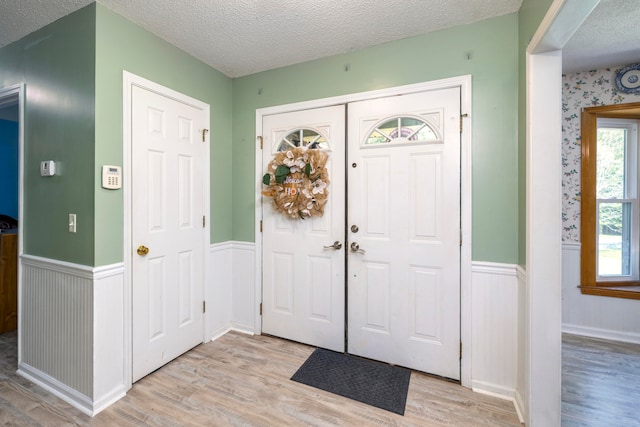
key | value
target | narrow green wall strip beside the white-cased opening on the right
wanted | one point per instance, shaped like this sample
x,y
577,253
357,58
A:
x,y
529,18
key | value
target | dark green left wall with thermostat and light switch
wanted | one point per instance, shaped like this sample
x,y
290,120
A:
x,y
57,63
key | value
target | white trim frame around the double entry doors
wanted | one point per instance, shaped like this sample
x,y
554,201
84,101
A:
x,y
464,82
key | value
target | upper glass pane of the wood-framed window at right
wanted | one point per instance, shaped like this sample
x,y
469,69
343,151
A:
x,y
611,163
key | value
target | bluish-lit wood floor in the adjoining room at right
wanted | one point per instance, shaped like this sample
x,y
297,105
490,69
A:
x,y
600,382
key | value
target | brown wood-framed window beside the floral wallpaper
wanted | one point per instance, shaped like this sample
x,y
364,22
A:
x,y
610,212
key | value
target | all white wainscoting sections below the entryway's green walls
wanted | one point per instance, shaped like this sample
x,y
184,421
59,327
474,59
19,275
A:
x,y
75,343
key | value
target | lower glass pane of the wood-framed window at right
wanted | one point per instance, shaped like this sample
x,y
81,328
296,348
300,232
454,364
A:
x,y
614,239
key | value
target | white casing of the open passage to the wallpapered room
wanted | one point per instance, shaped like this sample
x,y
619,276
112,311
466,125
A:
x,y
543,61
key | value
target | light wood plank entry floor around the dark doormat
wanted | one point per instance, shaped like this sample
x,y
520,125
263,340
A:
x,y
243,380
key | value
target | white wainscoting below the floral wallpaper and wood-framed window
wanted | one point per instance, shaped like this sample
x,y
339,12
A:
x,y
595,316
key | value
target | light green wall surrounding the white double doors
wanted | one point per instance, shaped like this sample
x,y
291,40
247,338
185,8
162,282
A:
x,y
487,50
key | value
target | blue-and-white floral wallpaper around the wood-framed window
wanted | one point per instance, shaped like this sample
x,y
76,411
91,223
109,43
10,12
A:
x,y
580,90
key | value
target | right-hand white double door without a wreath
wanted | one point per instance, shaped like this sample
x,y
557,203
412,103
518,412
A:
x,y
404,230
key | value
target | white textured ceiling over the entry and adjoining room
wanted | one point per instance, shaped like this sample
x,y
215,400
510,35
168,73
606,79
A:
x,y
240,37
